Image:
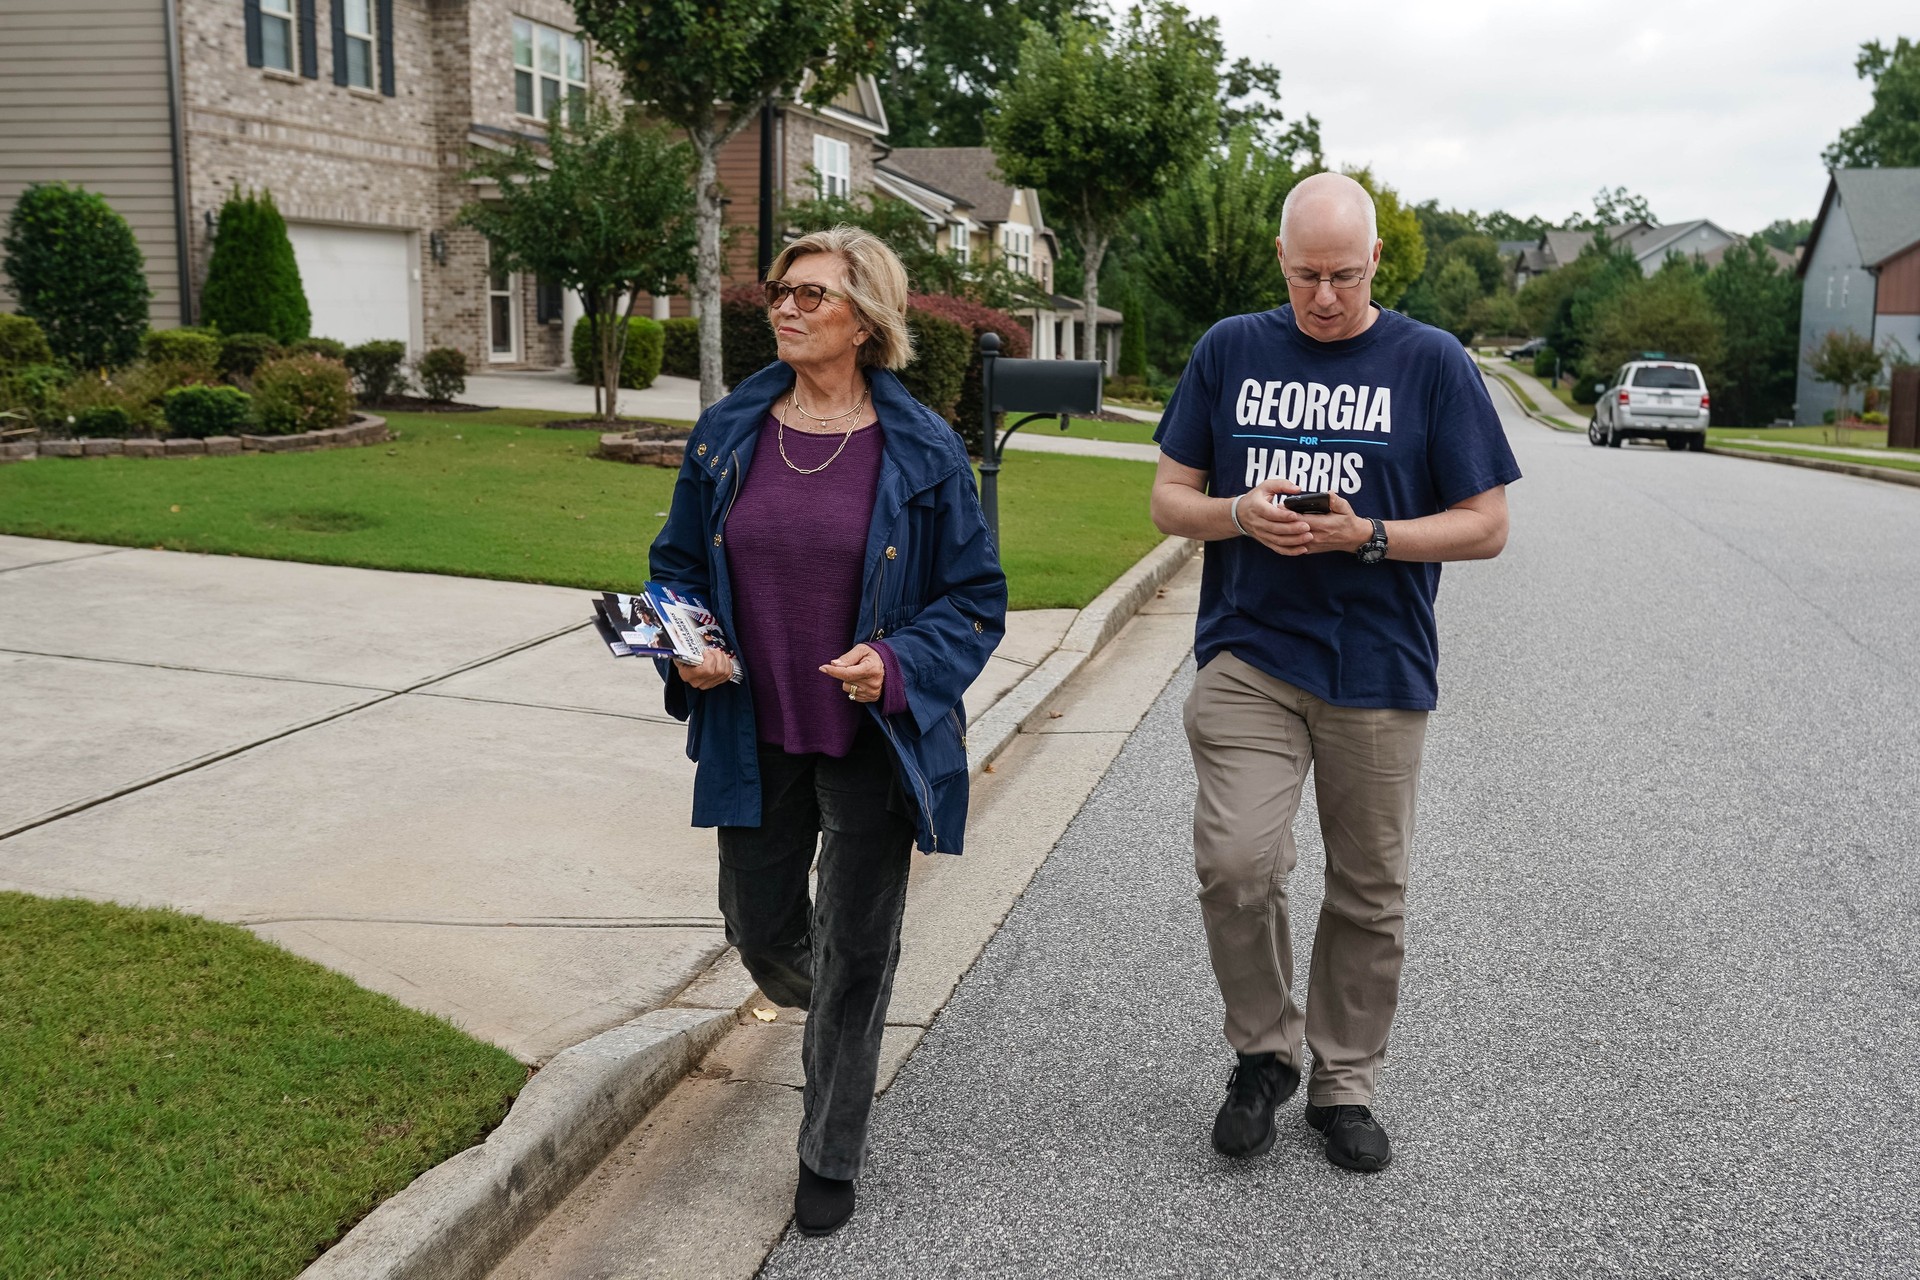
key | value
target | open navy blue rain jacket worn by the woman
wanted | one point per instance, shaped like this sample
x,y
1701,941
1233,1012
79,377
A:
x,y
932,588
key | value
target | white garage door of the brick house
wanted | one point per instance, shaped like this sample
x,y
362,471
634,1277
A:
x,y
360,283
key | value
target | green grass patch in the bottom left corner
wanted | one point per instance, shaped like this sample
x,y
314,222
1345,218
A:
x,y
185,1101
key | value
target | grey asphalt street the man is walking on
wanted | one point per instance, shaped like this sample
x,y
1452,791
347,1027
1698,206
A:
x,y
1662,1008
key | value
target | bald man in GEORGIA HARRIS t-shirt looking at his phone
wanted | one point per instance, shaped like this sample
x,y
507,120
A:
x,y
1318,648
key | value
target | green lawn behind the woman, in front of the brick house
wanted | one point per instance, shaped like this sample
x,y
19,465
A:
x,y
492,496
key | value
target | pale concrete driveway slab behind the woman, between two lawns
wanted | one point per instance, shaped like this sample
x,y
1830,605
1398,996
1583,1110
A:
x,y
443,788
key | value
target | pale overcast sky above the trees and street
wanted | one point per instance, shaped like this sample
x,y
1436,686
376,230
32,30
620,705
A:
x,y
1708,110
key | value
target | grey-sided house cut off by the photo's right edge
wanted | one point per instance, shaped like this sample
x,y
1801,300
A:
x,y
1861,272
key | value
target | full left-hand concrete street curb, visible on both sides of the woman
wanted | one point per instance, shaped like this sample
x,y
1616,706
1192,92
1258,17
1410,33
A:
x,y
462,1218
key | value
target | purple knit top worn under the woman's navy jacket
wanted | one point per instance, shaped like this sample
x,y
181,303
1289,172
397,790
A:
x,y
796,548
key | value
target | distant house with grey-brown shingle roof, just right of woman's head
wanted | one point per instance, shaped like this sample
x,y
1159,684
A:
x,y
980,216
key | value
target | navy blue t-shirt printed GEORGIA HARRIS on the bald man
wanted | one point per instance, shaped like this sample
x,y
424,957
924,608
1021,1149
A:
x,y
1395,419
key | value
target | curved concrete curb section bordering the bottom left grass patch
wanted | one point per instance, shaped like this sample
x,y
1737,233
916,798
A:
x,y
462,1218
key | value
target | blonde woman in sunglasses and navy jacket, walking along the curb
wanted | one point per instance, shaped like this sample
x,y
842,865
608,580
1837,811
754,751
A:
x,y
830,523
